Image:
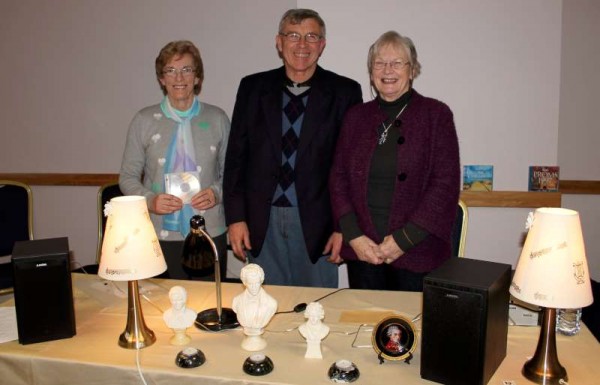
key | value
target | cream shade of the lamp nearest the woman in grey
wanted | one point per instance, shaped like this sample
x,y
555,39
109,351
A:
x,y
130,249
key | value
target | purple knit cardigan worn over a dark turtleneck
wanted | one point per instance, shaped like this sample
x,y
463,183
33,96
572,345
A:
x,y
427,189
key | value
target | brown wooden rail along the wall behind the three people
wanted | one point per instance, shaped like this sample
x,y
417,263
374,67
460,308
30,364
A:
x,y
525,199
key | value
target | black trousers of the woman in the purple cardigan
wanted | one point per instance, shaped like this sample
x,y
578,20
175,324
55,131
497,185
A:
x,y
363,275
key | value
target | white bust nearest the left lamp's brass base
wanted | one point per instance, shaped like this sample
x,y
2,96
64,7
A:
x,y
179,317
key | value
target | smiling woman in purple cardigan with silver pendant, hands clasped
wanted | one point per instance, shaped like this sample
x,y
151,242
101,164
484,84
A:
x,y
395,180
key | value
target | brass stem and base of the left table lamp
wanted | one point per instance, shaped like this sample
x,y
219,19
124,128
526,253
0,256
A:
x,y
136,334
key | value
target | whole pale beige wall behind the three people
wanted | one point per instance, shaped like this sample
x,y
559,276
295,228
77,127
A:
x,y
518,75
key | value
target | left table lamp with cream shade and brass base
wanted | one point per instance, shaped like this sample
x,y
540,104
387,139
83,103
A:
x,y
130,252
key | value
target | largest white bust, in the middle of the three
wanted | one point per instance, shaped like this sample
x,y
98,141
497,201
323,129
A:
x,y
254,308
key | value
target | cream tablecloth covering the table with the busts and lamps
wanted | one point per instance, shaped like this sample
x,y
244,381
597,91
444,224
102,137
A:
x,y
94,357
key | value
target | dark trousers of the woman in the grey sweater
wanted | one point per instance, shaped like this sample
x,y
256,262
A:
x,y
172,251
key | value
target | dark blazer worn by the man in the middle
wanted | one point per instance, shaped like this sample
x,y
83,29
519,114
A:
x,y
253,160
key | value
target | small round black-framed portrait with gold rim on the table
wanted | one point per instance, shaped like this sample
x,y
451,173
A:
x,y
394,338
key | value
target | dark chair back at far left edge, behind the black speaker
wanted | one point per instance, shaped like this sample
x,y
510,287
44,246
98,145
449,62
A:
x,y
16,223
